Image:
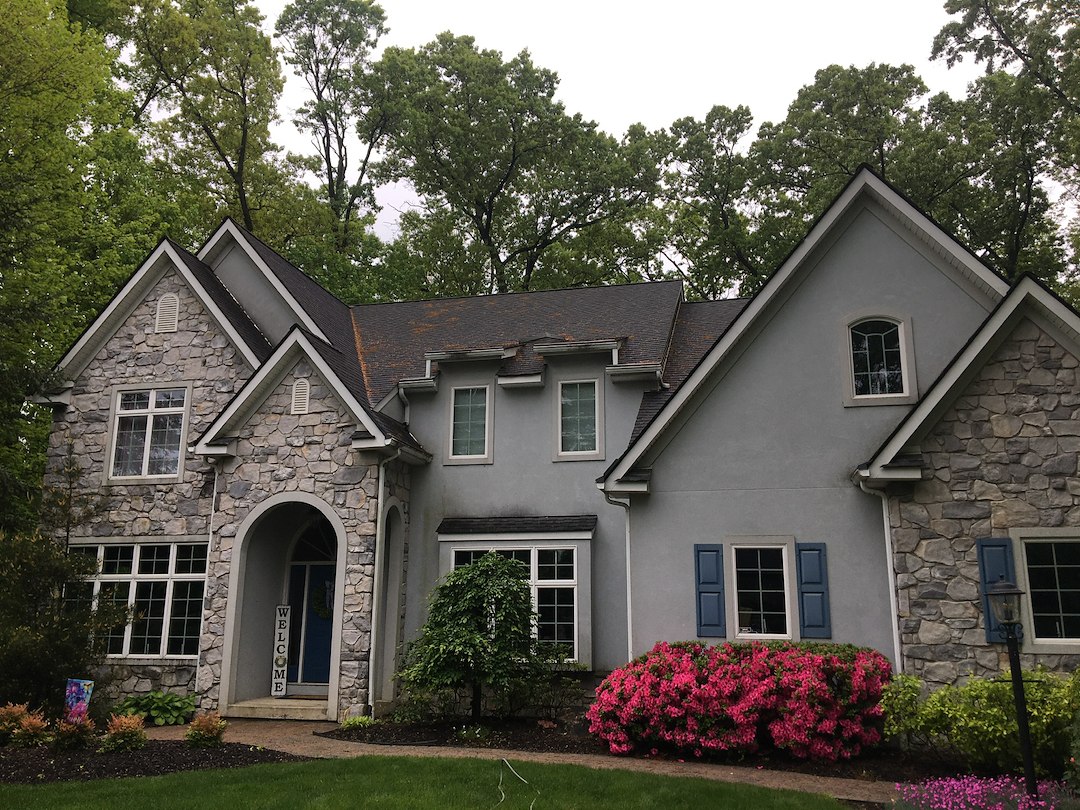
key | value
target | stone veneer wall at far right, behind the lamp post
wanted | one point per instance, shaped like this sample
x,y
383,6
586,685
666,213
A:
x,y
1003,457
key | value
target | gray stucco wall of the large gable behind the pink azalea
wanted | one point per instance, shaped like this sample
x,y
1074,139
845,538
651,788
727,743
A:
x,y
769,450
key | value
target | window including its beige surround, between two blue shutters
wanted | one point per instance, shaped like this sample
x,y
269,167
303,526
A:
x,y
761,588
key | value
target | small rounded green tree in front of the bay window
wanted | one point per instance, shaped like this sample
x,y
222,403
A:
x,y
479,634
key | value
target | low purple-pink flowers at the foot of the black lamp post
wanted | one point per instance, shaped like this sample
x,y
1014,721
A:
x,y
977,793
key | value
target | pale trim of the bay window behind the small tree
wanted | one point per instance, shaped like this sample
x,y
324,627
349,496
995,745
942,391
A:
x,y
580,543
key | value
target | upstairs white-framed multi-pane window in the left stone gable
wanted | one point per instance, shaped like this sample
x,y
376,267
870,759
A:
x,y
150,426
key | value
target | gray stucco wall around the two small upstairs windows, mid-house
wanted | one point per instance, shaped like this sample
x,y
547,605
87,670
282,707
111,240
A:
x,y
523,480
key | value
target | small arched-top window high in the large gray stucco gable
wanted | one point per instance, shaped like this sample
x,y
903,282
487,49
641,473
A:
x,y
882,363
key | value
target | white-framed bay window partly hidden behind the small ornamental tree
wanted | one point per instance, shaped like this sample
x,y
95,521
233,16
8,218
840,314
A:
x,y
560,577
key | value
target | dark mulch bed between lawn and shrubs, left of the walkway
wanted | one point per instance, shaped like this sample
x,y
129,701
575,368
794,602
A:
x,y
38,766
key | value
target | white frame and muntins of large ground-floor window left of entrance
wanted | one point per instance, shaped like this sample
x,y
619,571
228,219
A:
x,y
134,579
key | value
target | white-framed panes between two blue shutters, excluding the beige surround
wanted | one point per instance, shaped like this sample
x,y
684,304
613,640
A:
x,y
761,591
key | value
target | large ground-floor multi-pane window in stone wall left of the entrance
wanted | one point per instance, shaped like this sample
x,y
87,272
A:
x,y
161,585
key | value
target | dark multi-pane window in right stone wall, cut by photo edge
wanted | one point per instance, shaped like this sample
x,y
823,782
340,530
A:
x,y
1054,582
